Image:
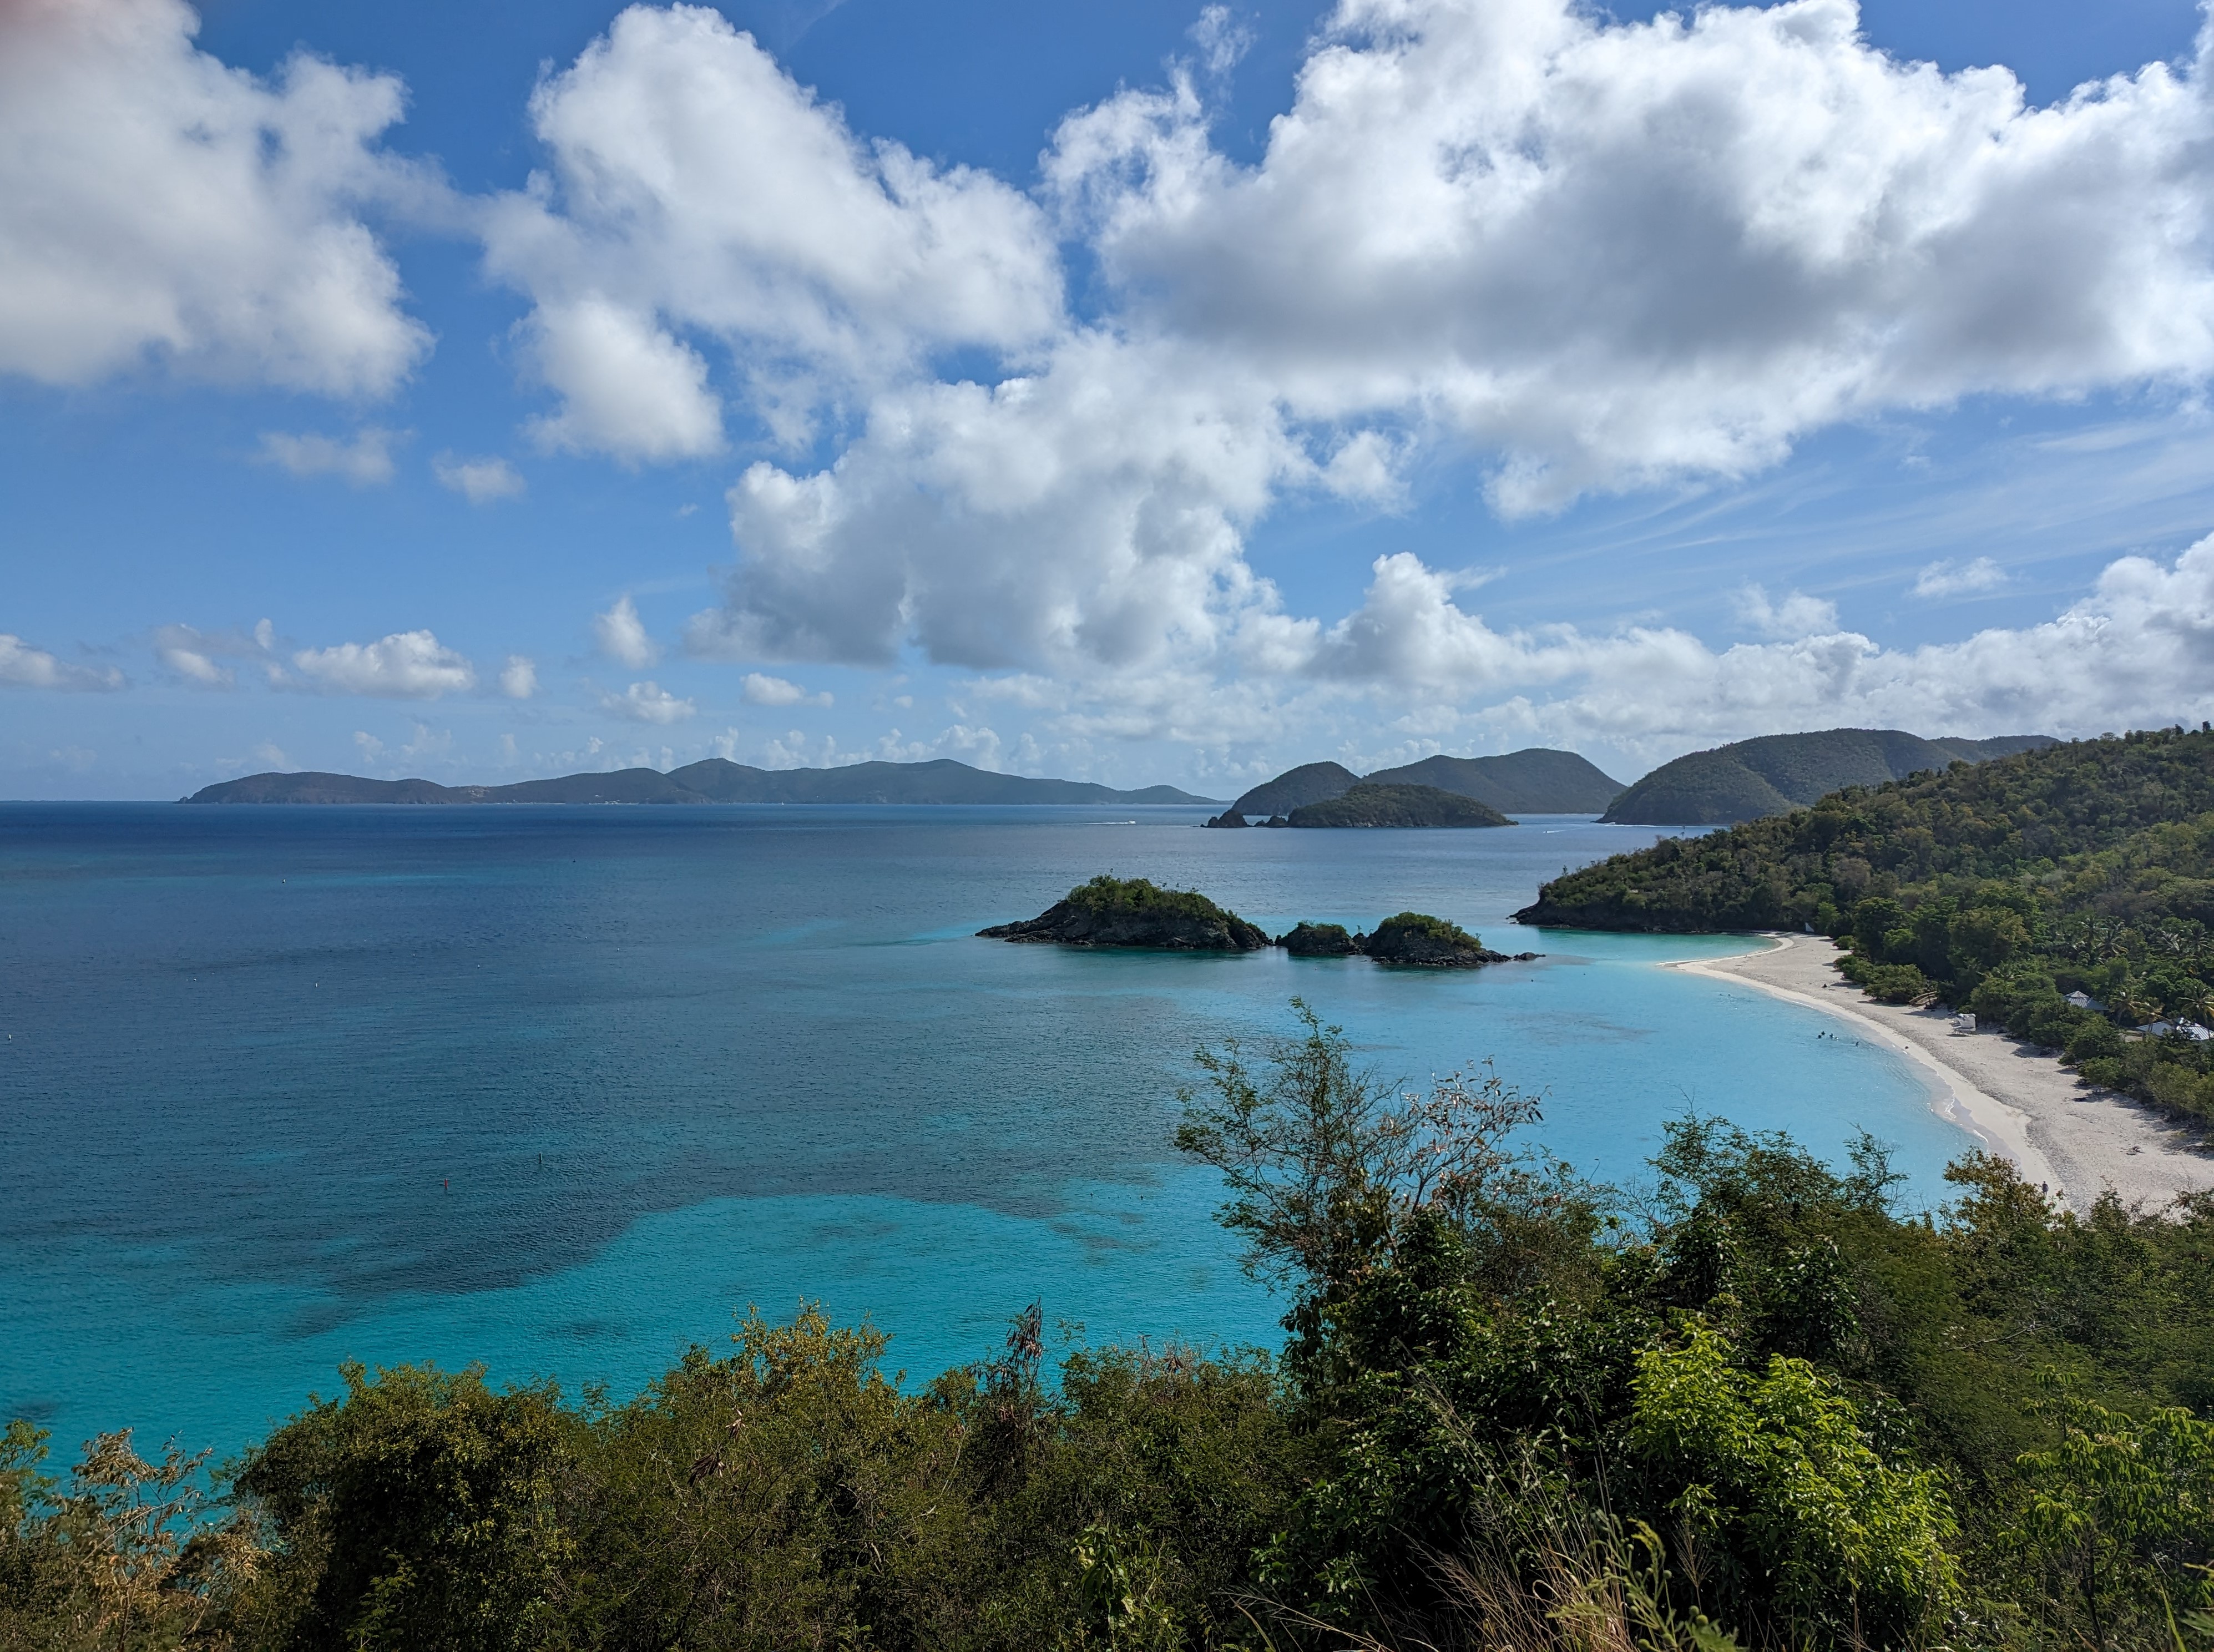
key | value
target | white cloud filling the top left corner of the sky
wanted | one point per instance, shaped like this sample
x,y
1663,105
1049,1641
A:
x,y
163,207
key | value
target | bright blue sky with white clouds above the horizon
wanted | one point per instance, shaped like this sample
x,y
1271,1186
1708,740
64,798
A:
x,y
1148,393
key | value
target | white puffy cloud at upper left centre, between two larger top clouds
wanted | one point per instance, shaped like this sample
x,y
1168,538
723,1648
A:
x,y
699,189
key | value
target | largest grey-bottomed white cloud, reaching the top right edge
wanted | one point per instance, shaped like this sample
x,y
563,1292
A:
x,y
1617,254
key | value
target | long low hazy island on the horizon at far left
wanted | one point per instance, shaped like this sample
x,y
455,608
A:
x,y
703,783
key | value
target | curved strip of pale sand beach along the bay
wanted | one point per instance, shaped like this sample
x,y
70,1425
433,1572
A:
x,y
2018,1102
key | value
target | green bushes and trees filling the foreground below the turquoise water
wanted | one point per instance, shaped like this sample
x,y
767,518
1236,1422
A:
x,y
1752,1405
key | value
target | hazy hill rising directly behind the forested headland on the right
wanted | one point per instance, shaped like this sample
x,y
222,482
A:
x,y
1777,774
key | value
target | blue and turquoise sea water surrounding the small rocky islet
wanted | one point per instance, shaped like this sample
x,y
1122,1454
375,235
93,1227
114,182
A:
x,y
566,1088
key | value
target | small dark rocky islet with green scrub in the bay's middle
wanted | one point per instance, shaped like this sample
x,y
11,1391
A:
x,y
1137,913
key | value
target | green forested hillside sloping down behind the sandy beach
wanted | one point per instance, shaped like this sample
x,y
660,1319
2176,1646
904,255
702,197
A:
x,y
2062,894
